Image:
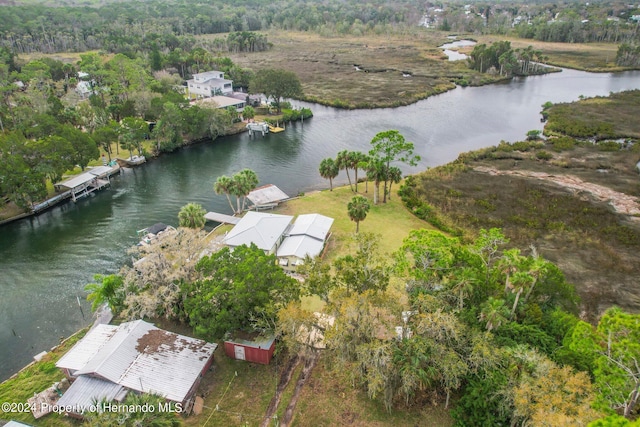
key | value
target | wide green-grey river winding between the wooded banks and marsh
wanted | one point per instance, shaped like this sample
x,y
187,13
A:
x,y
46,260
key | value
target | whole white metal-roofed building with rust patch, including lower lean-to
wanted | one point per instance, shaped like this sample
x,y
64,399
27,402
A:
x,y
112,360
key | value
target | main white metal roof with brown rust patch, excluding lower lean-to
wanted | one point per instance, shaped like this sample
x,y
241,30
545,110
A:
x,y
144,358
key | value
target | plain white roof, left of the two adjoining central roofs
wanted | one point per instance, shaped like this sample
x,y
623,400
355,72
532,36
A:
x,y
262,229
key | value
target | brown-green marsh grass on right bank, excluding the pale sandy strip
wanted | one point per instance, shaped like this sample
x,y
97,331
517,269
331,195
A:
x,y
596,247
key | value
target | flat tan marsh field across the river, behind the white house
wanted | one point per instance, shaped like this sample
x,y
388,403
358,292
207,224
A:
x,y
327,67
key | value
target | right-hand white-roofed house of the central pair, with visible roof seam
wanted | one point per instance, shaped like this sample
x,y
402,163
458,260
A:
x,y
307,236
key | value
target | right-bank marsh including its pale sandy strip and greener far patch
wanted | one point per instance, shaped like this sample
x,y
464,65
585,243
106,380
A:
x,y
575,201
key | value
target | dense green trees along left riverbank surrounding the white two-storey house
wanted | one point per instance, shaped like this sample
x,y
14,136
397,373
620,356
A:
x,y
46,134
